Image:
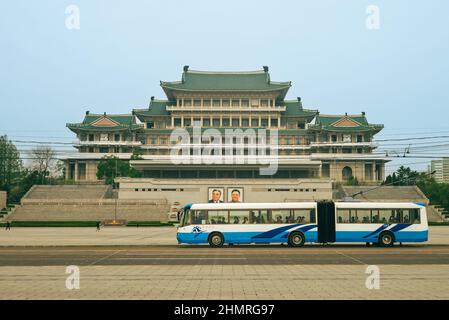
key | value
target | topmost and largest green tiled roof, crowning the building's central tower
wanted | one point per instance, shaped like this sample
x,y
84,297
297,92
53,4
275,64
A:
x,y
225,81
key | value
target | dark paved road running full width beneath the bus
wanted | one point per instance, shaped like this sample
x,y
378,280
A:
x,y
235,255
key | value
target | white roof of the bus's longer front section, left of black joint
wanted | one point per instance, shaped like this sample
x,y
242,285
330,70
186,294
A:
x,y
245,205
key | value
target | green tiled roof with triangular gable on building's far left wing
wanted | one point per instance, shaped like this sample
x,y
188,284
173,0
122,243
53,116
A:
x,y
118,122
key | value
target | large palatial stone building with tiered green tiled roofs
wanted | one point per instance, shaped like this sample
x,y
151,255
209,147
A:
x,y
311,149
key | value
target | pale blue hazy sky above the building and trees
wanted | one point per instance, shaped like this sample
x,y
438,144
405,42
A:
x,y
397,73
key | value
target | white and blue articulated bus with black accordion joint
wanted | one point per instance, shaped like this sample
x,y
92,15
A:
x,y
295,223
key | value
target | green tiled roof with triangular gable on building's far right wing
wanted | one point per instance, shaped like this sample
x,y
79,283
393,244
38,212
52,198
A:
x,y
358,123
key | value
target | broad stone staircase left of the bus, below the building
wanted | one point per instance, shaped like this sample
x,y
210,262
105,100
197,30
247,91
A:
x,y
84,203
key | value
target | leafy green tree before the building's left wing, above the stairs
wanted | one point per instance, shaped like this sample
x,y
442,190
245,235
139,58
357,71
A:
x,y
111,167
